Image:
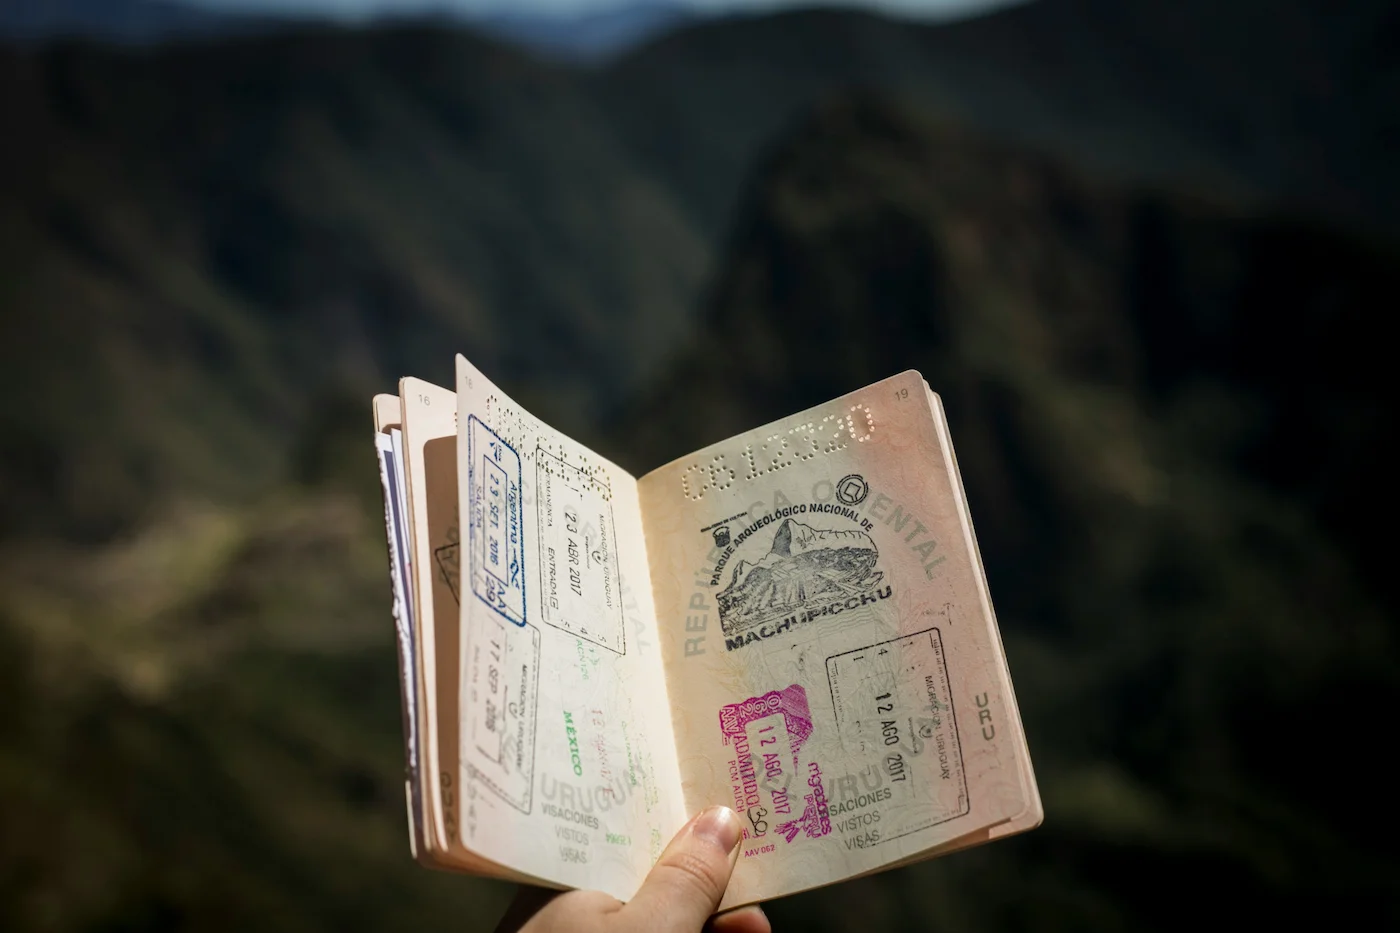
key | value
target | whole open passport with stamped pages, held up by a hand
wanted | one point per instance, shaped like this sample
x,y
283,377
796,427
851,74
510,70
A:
x,y
793,623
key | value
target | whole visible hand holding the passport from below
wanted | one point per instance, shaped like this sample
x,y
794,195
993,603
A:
x,y
678,897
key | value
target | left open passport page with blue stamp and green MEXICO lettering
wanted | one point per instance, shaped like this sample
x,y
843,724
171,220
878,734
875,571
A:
x,y
568,754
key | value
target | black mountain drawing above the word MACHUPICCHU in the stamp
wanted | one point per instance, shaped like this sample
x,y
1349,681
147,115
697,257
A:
x,y
806,567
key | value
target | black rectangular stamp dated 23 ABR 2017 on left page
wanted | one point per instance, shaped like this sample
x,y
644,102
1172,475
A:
x,y
580,590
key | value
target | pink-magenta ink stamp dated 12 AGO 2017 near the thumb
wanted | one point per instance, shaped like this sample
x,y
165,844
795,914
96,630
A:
x,y
769,778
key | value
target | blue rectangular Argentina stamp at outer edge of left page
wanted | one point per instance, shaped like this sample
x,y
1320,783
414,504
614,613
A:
x,y
498,522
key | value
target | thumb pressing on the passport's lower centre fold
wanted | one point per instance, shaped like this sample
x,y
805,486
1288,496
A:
x,y
688,882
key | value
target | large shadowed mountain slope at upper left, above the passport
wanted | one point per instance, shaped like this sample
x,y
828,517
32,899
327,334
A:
x,y
239,232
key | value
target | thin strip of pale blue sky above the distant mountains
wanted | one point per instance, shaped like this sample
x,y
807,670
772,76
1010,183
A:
x,y
369,9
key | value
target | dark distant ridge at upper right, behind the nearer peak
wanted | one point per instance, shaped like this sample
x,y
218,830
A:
x,y
1255,102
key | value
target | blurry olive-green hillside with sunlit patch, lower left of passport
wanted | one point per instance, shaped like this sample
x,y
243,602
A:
x,y
205,733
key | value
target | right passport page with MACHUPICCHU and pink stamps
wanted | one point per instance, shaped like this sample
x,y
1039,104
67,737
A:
x,y
829,642
